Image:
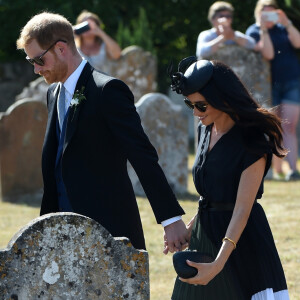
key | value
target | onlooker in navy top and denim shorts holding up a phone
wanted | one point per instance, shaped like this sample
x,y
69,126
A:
x,y
277,40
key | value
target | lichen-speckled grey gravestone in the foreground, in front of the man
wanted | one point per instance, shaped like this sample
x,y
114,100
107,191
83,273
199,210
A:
x,y
64,256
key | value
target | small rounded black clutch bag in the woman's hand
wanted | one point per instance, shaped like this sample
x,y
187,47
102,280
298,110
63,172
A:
x,y
183,269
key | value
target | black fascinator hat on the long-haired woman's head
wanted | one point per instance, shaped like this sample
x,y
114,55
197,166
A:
x,y
192,75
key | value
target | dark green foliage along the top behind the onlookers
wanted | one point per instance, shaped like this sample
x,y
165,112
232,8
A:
x,y
167,28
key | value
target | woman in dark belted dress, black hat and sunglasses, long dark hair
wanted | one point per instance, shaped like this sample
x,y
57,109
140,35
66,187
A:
x,y
237,139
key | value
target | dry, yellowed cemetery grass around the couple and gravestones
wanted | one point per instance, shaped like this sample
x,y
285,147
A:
x,y
281,202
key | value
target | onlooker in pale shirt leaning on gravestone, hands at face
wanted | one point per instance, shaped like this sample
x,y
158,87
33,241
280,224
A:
x,y
220,15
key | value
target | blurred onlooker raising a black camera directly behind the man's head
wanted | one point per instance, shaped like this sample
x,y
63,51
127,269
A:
x,y
95,45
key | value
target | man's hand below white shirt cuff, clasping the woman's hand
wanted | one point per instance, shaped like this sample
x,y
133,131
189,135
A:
x,y
175,237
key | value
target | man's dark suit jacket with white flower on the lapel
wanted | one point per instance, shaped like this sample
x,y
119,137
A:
x,y
102,134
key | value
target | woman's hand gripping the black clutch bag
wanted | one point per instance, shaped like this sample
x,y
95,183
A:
x,y
206,272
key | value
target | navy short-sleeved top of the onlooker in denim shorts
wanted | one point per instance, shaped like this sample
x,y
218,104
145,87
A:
x,y
285,65
